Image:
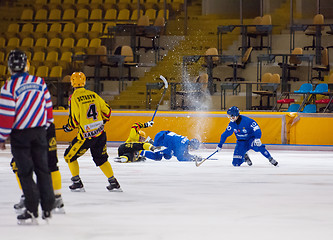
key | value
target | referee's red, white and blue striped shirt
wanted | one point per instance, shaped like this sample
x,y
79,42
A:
x,y
25,102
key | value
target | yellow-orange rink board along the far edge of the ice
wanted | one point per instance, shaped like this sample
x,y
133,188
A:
x,y
277,127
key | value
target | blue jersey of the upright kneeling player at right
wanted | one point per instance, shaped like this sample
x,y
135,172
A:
x,y
245,130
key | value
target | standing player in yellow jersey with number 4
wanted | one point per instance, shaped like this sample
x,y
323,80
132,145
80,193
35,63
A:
x,y
88,112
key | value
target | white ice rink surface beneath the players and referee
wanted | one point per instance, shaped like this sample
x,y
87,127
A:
x,y
171,200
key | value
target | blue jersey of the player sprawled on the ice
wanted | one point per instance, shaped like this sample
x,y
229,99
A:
x,y
177,145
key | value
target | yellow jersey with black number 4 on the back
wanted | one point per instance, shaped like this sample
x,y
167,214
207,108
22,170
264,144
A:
x,y
88,112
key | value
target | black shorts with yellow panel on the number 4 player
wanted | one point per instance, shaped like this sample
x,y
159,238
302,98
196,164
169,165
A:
x,y
97,146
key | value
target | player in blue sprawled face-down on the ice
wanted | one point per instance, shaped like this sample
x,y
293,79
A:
x,y
176,145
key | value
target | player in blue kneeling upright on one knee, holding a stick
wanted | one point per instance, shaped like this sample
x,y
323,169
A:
x,y
248,136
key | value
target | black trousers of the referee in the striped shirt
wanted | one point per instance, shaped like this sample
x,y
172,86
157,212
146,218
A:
x,y
29,148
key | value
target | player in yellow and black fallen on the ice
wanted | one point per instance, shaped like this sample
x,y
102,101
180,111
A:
x,y
135,144
